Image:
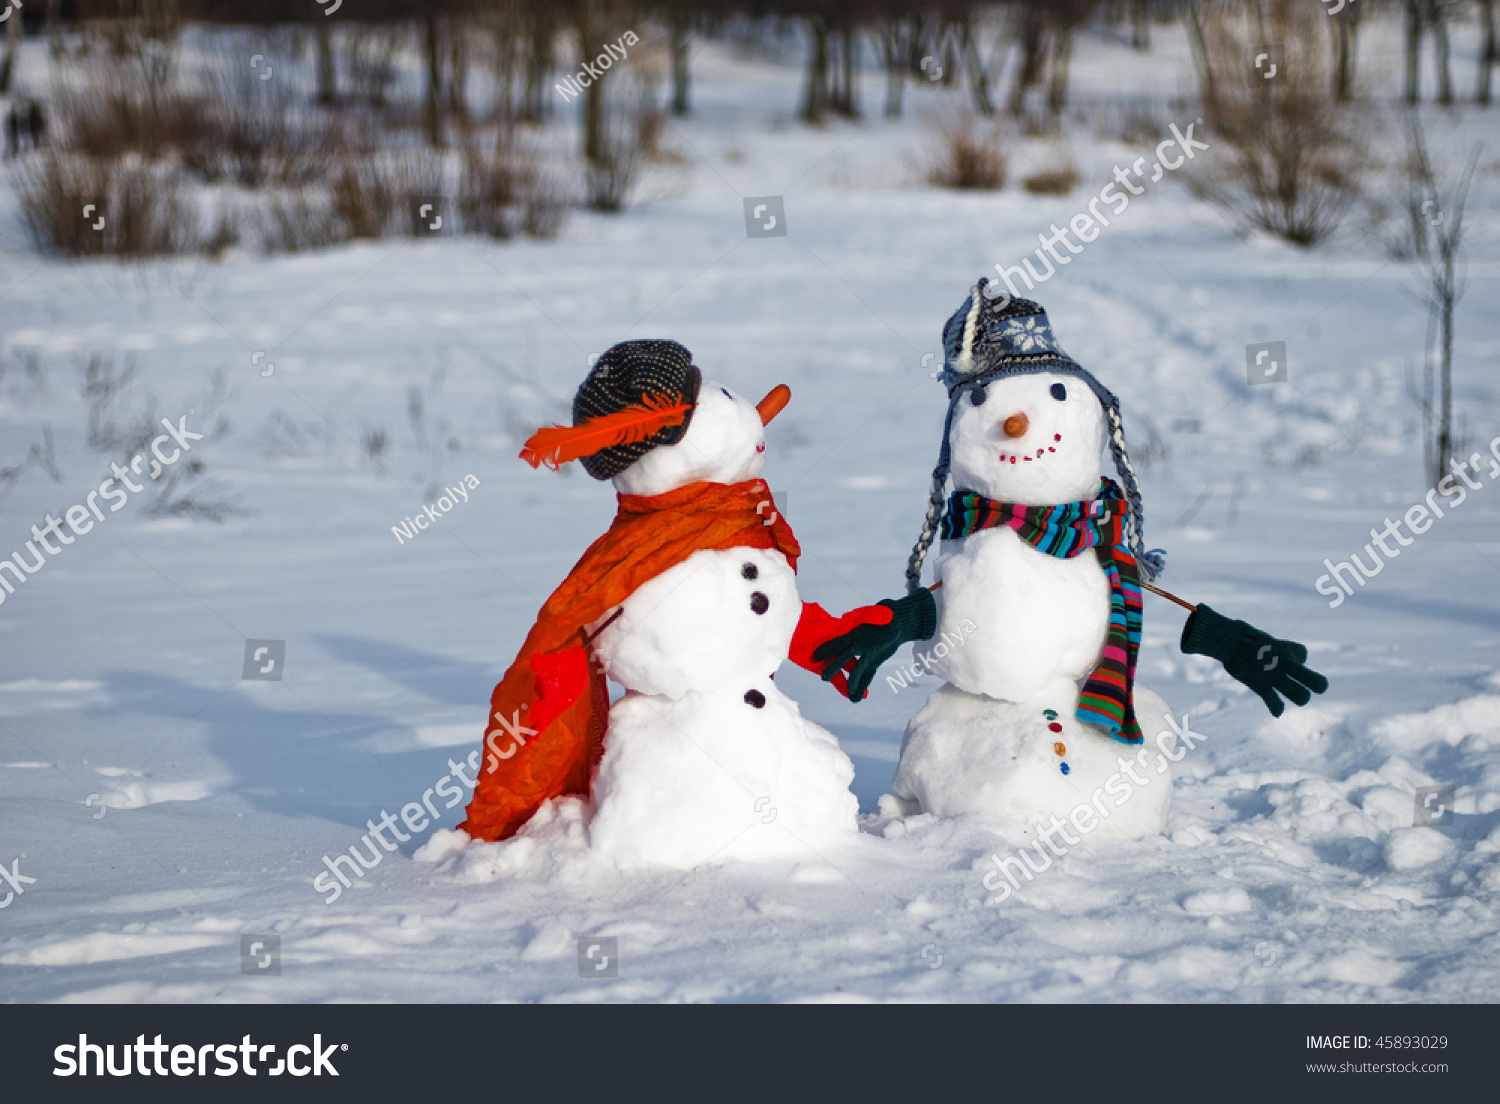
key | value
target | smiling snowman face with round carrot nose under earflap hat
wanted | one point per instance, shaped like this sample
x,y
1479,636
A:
x,y
1033,440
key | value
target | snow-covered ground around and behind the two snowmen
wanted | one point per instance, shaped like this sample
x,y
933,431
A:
x,y
1291,869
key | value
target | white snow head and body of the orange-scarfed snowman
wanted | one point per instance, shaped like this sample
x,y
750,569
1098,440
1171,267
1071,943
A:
x,y
706,760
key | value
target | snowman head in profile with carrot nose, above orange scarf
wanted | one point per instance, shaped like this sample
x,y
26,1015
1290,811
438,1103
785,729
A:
x,y
725,443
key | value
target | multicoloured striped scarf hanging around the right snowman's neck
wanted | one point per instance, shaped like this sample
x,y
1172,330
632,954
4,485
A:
x,y
1066,532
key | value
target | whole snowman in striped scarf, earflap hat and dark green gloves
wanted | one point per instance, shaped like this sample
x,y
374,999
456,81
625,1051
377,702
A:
x,y
1036,614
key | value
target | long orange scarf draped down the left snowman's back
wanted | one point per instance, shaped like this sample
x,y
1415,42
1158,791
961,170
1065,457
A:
x,y
527,764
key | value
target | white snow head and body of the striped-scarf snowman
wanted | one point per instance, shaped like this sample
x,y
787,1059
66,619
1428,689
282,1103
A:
x,y
1019,631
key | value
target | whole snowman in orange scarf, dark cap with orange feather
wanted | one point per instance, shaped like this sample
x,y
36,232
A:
x,y
691,604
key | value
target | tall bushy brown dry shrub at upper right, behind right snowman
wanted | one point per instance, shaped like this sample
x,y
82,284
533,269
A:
x,y
1291,161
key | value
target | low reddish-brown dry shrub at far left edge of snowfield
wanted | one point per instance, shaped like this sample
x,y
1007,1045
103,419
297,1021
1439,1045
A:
x,y
143,208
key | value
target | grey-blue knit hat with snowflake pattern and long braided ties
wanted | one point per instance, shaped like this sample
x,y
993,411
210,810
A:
x,y
998,338
